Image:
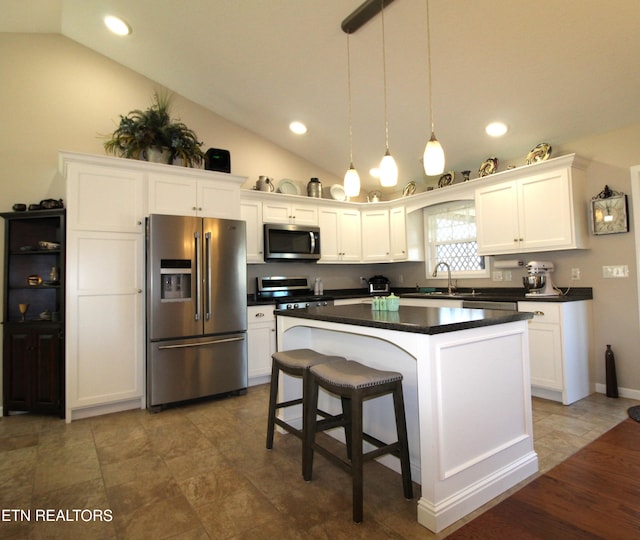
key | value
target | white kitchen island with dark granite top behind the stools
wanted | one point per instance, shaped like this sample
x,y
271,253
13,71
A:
x,y
466,386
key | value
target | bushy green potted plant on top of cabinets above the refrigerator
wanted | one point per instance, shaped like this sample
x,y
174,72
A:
x,y
151,133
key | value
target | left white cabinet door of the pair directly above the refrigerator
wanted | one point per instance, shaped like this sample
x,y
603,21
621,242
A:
x,y
172,195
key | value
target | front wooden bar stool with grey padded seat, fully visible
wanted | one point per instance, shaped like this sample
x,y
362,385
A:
x,y
354,383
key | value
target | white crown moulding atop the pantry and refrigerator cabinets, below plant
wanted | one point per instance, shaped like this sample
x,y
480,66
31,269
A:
x,y
143,166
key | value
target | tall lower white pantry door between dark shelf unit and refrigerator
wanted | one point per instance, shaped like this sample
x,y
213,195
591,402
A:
x,y
105,330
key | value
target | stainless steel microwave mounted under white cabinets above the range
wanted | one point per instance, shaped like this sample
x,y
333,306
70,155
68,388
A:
x,y
291,242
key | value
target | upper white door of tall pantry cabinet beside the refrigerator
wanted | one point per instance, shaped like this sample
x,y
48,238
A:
x,y
101,198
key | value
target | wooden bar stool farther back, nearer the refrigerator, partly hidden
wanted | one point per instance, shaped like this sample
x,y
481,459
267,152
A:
x,y
295,362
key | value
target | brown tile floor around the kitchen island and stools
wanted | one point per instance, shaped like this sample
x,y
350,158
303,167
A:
x,y
202,471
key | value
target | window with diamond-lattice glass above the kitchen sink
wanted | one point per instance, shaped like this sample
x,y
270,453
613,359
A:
x,y
451,237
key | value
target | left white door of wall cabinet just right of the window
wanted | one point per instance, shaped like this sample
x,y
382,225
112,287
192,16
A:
x,y
497,219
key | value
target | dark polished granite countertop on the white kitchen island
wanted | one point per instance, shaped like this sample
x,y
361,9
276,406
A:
x,y
419,320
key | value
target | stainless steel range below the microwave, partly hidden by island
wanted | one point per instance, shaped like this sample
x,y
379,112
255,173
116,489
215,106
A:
x,y
290,292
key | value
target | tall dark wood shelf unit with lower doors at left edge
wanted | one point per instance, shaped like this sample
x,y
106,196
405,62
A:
x,y
33,351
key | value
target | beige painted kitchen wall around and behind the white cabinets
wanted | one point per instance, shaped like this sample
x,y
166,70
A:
x,y
57,95
